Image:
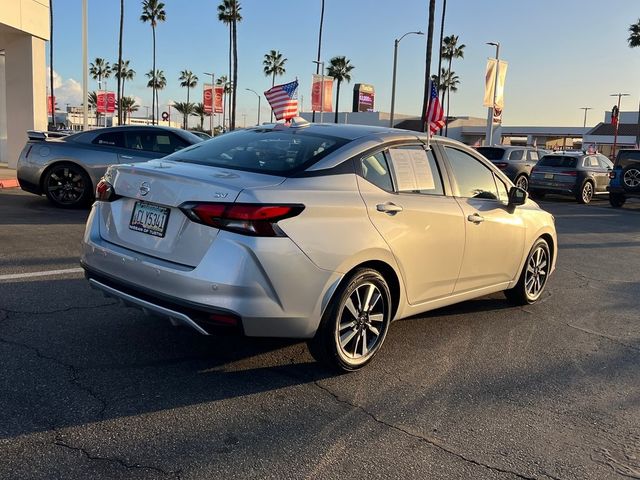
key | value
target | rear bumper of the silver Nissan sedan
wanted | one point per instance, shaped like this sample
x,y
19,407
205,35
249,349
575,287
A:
x,y
268,283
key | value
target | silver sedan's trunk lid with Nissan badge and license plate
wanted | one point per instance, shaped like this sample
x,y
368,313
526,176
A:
x,y
154,190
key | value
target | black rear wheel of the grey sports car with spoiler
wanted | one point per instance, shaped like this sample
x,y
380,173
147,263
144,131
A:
x,y
67,185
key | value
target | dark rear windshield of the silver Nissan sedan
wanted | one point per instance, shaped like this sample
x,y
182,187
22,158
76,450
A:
x,y
274,152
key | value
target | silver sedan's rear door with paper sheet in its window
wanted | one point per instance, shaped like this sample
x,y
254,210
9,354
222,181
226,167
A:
x,y
406,201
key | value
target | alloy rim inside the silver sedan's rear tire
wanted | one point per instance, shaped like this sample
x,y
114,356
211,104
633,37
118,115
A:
x,y
362,322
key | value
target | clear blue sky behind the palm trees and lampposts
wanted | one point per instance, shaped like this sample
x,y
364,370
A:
x,y
562,54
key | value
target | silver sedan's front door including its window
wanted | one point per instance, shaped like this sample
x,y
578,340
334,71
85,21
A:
x,y
495,236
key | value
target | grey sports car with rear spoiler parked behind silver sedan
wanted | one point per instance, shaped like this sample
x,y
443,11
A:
x,y
67,168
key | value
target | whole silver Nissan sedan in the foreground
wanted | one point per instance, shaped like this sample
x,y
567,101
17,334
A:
x,y
320,232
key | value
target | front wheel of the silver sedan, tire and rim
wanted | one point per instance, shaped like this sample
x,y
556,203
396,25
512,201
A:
x,y
534,276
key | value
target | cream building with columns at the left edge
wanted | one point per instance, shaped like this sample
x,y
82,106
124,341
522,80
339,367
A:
x,y
24,29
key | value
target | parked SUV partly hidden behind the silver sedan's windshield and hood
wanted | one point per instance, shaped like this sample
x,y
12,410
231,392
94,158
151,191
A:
x,y
515,162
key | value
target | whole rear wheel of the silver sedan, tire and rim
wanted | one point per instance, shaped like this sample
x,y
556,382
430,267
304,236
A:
x,y
347,313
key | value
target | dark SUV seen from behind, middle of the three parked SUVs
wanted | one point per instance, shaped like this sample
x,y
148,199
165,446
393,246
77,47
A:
x,y
579,174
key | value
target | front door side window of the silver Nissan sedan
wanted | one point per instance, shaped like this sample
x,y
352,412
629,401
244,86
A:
x,y
474,179
